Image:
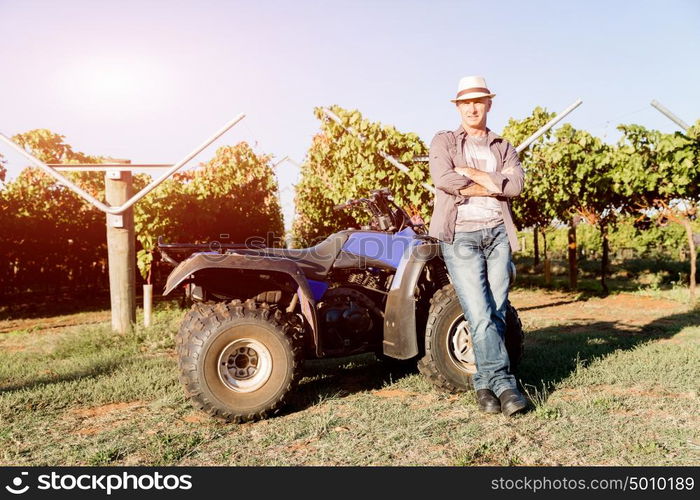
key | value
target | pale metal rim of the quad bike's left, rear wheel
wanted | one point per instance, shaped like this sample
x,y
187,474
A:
x,y
245,365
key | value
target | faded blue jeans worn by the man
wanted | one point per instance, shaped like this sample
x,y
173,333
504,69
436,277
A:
x,y
478,263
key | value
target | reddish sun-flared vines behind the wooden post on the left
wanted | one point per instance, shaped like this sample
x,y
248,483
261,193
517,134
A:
x,y
51,240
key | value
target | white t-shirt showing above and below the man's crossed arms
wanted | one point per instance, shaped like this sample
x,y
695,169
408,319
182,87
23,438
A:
x,y
479,212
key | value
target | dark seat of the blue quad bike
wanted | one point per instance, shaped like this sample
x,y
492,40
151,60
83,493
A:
x,y
315,261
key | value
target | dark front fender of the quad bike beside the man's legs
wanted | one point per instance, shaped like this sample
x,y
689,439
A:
x,y
400,336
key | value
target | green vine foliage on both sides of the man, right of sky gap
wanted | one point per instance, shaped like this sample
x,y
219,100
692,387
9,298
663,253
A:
x,y
571,176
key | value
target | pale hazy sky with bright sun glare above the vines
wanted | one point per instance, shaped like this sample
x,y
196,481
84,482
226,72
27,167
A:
x,y
150,80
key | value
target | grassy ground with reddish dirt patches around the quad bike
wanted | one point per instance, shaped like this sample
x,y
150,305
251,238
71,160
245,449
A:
x,y
612,380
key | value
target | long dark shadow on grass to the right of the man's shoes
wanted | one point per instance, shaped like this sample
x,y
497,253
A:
x,y
553,353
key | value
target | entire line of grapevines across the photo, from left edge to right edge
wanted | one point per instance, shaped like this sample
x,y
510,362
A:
x,y
50,238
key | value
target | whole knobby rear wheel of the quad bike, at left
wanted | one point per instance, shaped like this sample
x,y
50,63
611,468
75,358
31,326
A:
x,y
237,361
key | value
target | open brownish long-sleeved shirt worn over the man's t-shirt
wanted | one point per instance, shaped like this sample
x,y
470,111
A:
x,y
446,154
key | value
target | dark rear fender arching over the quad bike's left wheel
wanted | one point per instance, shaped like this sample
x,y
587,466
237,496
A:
x,y
188,268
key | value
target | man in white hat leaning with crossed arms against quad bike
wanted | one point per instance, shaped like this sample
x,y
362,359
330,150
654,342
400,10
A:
x,y
476,172
